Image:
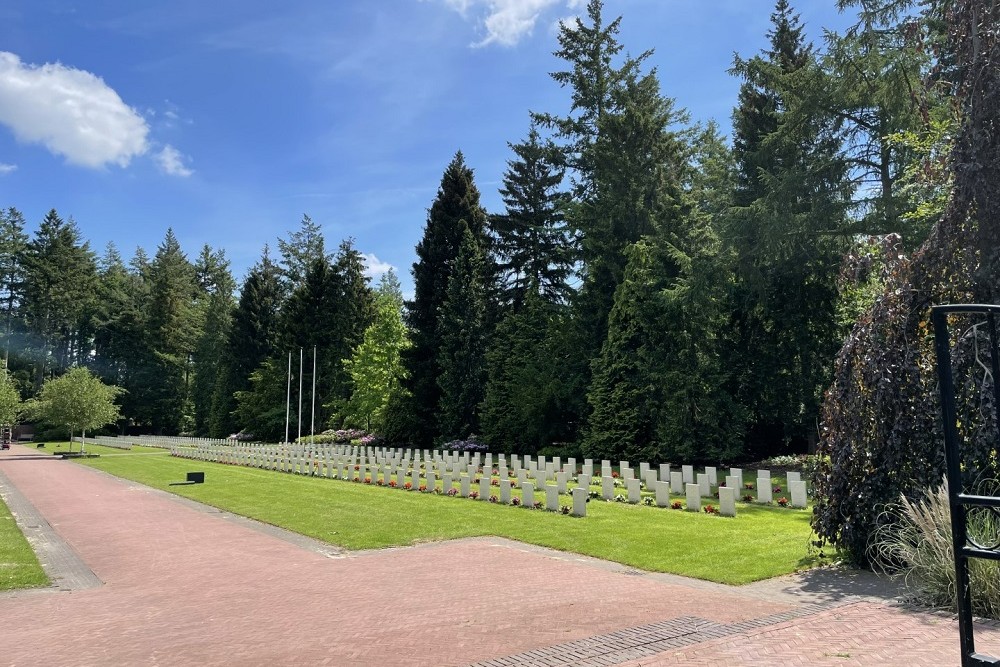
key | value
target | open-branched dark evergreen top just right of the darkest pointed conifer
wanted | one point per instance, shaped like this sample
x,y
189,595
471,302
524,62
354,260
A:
x,y
531,242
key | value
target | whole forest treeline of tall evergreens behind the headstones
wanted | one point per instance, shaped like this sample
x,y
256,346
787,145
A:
x,y
651,291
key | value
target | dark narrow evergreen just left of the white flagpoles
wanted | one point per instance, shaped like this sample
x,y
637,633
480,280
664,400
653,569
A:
x,y
251,339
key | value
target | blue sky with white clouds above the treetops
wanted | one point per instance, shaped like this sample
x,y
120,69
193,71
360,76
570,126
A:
x,y
228,120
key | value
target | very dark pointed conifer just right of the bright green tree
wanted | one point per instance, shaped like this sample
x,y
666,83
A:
x,y
416,405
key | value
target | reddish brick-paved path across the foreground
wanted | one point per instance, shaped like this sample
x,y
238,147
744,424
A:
x,y
166,581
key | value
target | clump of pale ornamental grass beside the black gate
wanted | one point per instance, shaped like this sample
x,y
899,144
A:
x,y
914,543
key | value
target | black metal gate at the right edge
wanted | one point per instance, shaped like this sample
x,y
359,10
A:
x,y
965,547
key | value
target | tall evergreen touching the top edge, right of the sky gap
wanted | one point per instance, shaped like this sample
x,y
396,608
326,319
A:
x,y
785,233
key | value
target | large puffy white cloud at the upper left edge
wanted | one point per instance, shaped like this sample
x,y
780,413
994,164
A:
x,y
71,112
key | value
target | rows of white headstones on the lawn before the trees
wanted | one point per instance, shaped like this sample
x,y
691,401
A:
x,y
532,474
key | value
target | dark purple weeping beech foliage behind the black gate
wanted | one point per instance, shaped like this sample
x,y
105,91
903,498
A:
x,y
880,420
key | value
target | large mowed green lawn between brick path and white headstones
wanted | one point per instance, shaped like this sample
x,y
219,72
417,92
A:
x,y
761,542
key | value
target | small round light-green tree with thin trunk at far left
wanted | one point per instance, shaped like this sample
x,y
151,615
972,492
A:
x,y
77,401
